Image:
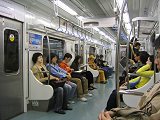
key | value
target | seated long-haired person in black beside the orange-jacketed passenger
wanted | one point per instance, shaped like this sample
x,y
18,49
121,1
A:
x,y
87,74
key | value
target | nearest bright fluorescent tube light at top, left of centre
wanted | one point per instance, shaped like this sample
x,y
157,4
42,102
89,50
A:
x,y
66,8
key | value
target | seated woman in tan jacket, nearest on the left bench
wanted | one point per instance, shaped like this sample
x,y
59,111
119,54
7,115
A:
x,y
39,72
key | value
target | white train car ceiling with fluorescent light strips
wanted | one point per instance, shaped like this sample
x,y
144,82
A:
x,y
77,10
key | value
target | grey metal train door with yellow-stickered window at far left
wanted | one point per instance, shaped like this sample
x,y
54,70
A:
x,y
11,82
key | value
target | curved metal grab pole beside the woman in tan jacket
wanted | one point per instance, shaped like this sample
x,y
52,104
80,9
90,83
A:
x,y
49,55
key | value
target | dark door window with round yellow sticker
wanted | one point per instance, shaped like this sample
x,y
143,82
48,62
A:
x,y
11,51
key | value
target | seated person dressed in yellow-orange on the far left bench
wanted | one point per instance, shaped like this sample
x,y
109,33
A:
x,y
91,63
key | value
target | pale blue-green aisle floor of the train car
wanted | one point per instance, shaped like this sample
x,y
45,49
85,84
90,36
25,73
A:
x,y
81,110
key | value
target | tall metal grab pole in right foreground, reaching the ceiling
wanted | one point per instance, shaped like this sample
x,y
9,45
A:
x,y
117,52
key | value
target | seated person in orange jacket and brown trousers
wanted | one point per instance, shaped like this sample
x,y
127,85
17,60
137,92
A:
x,y
64,65
